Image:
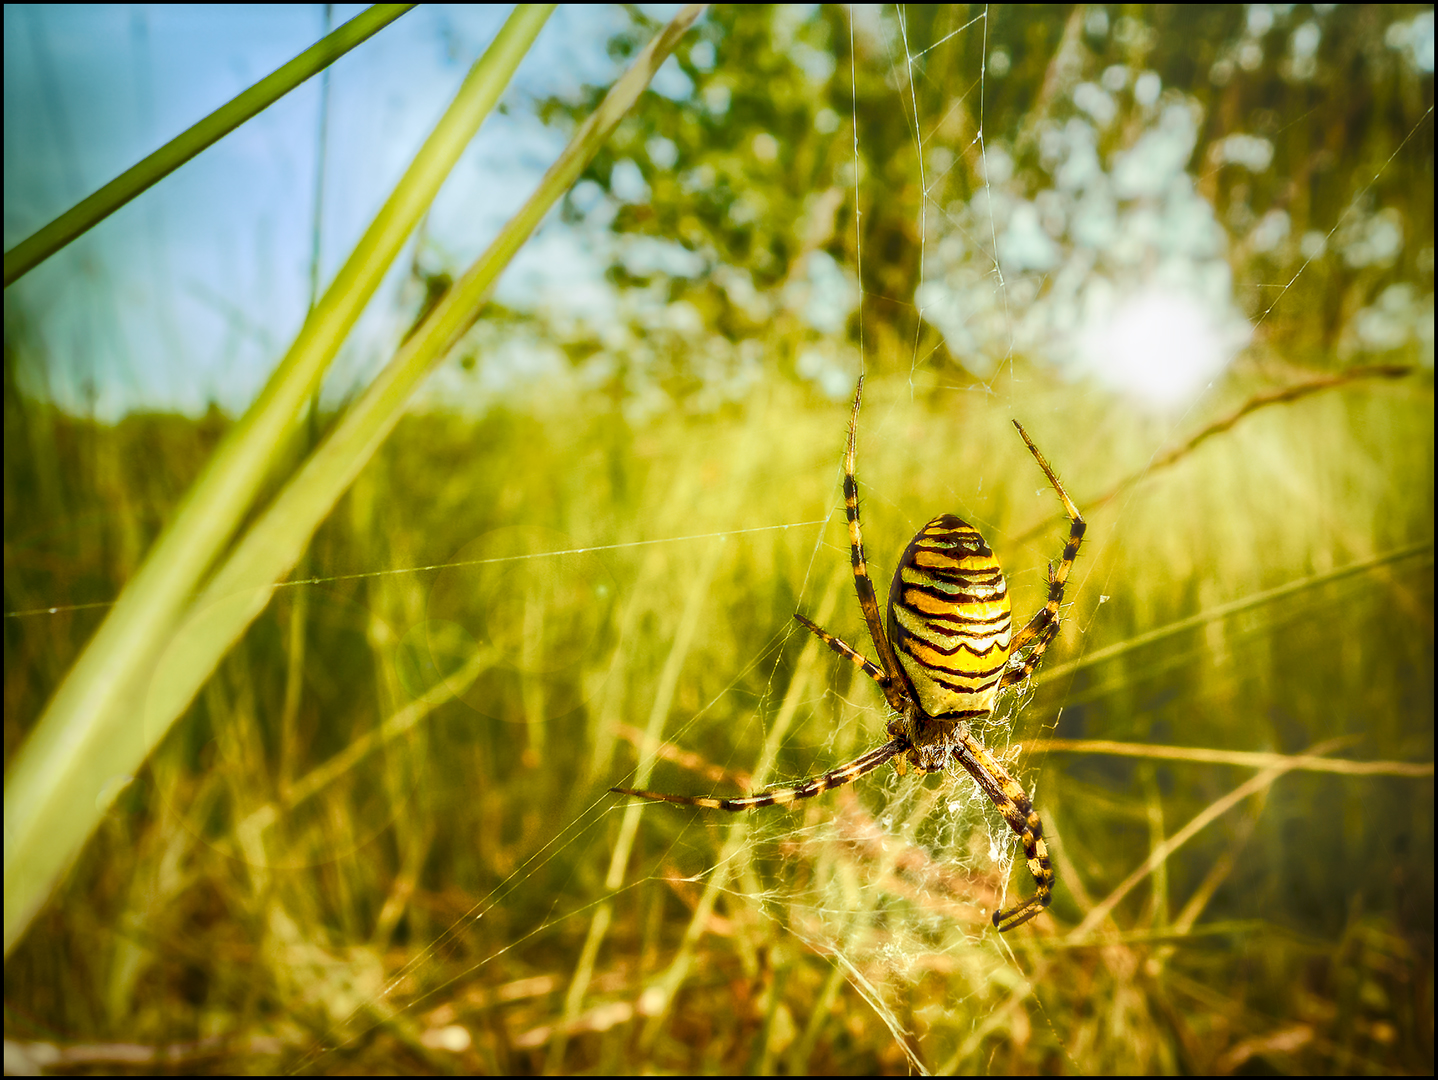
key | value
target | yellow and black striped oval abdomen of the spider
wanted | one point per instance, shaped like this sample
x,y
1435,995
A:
x,y
950,619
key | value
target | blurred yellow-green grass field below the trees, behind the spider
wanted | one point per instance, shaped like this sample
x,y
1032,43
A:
x,y
264,895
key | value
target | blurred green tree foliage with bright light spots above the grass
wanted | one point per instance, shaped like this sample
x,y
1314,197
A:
x,y
736,202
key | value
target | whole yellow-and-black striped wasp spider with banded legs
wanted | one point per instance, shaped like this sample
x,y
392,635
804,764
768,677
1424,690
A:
x,y
948,651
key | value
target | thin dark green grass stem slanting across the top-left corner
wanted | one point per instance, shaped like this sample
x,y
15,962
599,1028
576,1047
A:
x,y
139,179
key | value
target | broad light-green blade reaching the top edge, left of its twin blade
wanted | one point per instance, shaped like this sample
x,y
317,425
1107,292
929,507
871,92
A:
x,y
91,734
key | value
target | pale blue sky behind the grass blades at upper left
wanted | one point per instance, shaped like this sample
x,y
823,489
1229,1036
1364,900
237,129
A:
x,y
191,294
